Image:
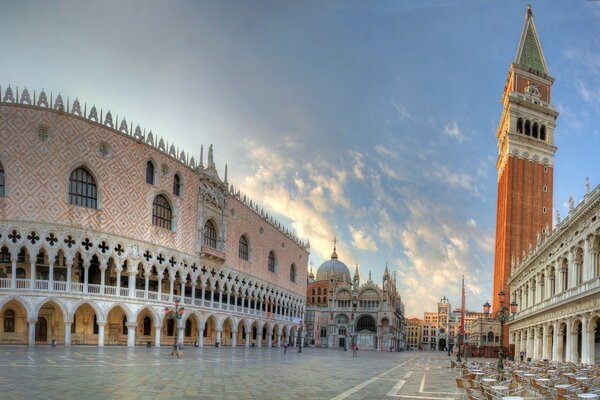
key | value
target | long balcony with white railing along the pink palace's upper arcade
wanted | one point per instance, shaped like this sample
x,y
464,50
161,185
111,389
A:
x,y
76,289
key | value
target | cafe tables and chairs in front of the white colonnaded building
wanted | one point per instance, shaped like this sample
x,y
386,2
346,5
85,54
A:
x,y
481,380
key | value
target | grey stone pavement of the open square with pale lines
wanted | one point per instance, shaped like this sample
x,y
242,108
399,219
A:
x,y
227,373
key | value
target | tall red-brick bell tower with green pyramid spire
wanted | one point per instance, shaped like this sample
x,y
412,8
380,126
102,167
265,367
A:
x,y
525,158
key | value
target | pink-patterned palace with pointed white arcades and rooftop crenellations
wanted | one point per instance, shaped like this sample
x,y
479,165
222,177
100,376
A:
x,y
103,225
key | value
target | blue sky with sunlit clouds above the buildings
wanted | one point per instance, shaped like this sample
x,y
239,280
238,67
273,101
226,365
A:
x,y
372,121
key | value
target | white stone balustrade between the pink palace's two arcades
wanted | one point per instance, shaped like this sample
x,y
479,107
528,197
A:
x,y
41,286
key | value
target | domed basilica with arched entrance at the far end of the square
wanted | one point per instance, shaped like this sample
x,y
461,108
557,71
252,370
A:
x,y
340,310
